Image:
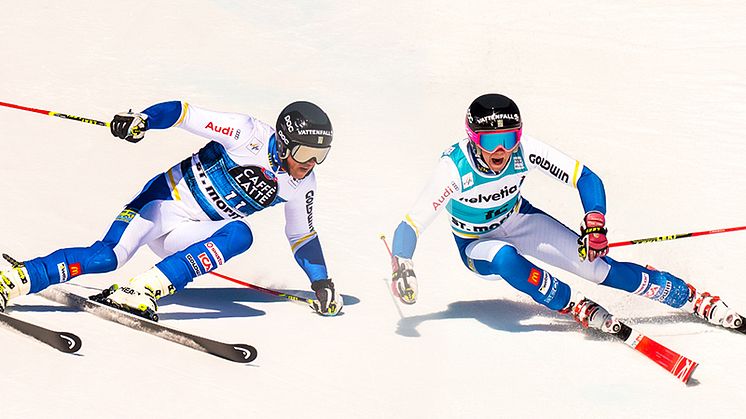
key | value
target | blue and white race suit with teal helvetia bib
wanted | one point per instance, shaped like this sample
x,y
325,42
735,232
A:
x,y
495,226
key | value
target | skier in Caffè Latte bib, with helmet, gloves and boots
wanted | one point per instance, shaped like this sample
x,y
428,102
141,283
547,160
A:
x,y
194,215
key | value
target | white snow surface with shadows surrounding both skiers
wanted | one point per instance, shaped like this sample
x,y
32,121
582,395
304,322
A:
x,y
648,94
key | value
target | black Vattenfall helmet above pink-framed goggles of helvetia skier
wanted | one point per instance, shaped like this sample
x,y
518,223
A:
x,y
492,112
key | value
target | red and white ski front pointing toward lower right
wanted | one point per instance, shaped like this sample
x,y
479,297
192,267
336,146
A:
x,y
680,366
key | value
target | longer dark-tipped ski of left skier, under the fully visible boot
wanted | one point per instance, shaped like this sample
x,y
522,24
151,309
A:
x,y
238,352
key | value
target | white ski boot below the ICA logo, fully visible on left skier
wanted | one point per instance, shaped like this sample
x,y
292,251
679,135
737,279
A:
x,y
139,296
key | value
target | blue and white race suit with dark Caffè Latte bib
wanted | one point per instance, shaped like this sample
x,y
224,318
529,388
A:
x,y
194,215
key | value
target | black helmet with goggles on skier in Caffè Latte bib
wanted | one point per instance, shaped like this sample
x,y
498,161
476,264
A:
x,y
302,124
